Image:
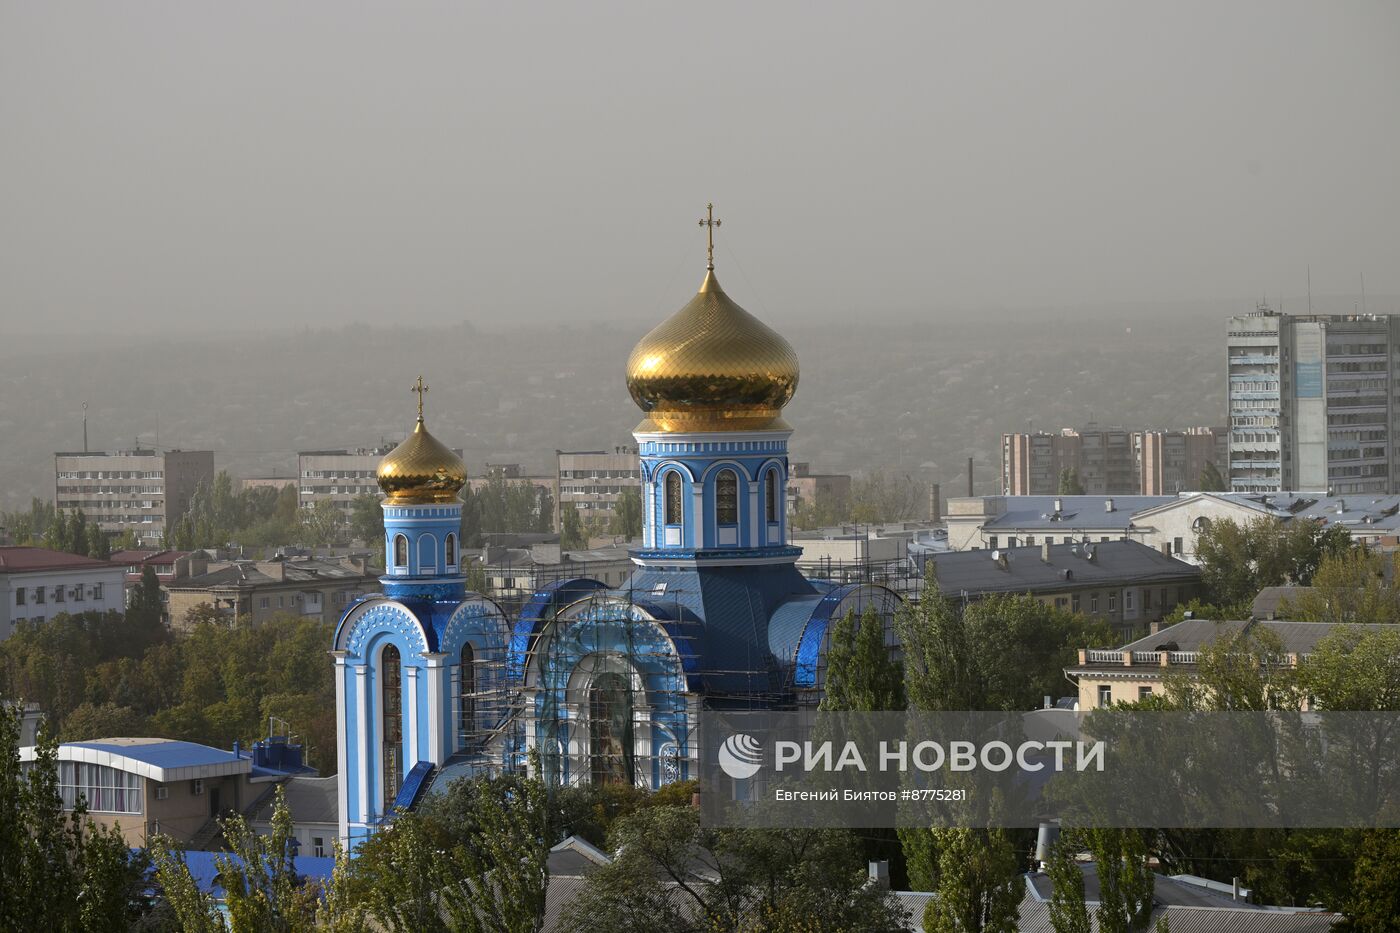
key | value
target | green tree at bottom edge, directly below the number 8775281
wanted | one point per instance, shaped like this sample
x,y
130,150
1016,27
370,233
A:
x,y
979,883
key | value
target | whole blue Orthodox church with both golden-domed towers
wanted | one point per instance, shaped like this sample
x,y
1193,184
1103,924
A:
x,y
605,686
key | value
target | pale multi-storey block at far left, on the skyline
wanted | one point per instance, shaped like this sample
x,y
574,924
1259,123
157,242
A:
x,y
139,490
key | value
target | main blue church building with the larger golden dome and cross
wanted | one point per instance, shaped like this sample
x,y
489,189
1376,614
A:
x,y
716,614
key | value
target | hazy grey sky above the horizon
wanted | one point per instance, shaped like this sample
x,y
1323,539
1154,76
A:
x,y
211,166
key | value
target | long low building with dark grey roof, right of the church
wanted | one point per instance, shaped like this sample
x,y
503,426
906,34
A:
x,y
1123,583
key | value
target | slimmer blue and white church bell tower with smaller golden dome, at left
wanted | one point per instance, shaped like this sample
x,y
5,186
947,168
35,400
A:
x,y
409,661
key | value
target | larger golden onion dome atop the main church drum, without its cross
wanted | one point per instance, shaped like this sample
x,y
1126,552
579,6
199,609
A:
x,y
712,368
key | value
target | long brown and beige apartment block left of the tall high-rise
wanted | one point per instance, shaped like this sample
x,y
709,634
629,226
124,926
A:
x,y
1111,463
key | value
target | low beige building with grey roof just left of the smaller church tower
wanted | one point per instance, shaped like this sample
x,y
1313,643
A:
x,y
251,592
